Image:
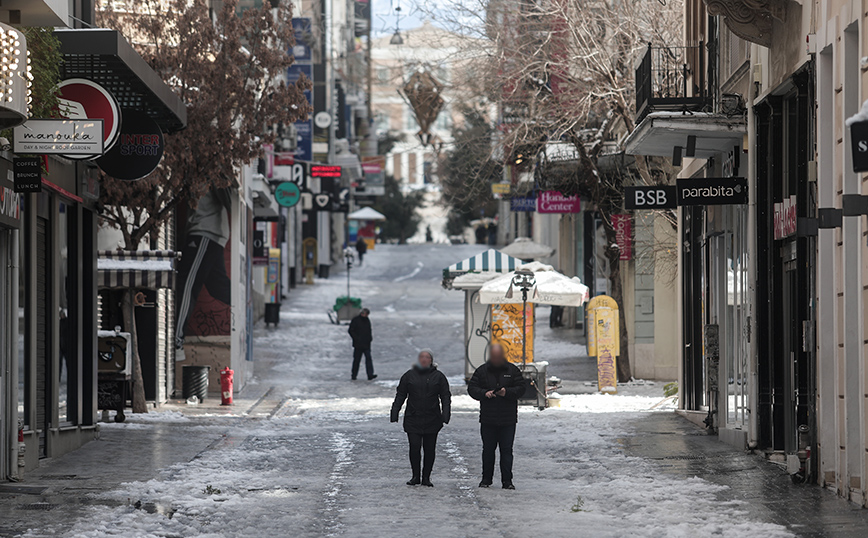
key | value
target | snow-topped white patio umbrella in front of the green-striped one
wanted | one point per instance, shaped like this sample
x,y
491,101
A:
x,y
550,287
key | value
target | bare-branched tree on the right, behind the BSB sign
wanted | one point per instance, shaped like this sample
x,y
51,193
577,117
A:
x,y
562,72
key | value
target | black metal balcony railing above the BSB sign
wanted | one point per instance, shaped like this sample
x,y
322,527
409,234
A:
x,y
671,78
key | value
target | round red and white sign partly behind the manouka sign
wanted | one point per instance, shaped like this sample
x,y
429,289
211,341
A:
x,y
82,99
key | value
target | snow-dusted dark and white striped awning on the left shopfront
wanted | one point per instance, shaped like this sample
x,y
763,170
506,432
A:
x,y
142,269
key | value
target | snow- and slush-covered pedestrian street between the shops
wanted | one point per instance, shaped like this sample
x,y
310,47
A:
x,y
307,452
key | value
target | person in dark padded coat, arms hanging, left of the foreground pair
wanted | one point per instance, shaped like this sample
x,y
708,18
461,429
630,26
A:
x,y
429,407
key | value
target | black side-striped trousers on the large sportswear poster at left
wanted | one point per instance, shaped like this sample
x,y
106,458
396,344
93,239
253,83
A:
x,y
202,264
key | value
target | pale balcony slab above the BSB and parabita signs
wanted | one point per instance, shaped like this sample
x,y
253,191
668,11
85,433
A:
x,y
660,132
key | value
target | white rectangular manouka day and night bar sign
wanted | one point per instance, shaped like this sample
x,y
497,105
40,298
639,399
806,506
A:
x,y
81,138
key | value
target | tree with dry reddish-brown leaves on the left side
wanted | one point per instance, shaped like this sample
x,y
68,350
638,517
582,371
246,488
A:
x,y
229,71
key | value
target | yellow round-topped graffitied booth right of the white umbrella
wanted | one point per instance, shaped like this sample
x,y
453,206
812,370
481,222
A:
x,y
604,340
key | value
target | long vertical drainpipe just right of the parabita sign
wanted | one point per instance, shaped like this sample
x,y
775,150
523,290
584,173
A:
x,y
752,433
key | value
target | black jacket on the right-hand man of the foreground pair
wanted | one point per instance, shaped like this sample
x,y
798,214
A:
x,y
500,410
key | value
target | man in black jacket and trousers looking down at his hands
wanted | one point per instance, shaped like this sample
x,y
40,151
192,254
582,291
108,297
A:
x,y
497,385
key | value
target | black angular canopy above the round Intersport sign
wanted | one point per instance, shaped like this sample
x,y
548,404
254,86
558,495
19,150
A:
x,y
105,57
